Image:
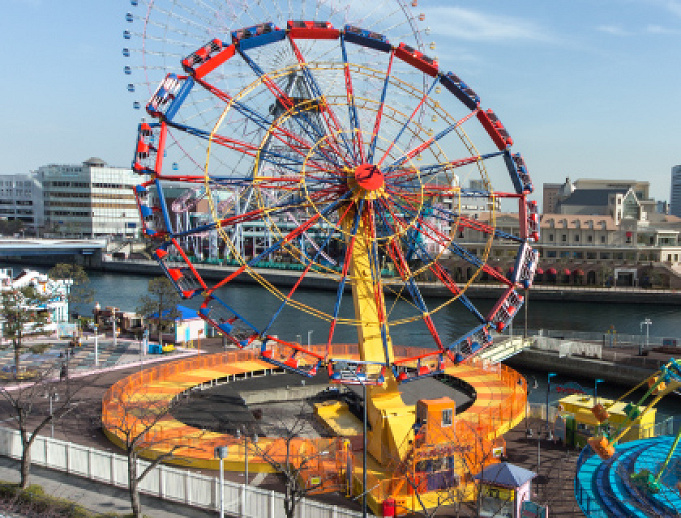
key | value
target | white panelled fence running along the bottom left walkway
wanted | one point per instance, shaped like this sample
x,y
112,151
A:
x,y
165,482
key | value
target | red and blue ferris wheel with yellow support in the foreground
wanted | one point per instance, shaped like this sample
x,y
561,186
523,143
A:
x,y
337,164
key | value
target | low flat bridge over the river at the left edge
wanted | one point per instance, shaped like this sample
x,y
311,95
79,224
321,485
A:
x,y
13,247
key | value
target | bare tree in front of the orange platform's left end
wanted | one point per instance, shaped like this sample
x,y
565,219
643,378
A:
x,y
133,418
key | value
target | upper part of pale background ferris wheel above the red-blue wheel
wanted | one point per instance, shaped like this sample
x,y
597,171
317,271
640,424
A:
x,y
162,32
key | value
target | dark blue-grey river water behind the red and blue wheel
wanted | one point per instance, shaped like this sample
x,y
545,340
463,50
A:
x,y
124,291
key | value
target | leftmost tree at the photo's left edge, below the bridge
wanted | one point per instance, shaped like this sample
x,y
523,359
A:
x,y
23,313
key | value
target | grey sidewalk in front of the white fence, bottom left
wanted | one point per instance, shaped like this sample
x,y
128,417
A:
x,y
100,498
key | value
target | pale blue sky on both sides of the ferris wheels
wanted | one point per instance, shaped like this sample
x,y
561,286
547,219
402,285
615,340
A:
x,y
587,88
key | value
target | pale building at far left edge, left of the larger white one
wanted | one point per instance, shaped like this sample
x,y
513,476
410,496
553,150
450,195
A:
x,y
21,198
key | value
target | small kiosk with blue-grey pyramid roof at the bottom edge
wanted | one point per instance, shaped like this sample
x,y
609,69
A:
x,y
504,488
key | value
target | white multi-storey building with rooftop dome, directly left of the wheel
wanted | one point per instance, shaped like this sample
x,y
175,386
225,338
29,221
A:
x,y
89,200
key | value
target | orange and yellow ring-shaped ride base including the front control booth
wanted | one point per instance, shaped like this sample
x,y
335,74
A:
x,y
131,403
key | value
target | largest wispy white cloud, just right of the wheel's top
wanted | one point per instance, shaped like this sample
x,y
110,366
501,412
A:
x,y
470,25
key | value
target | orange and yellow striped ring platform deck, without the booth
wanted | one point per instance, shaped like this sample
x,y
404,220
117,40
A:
x,y
130,404
